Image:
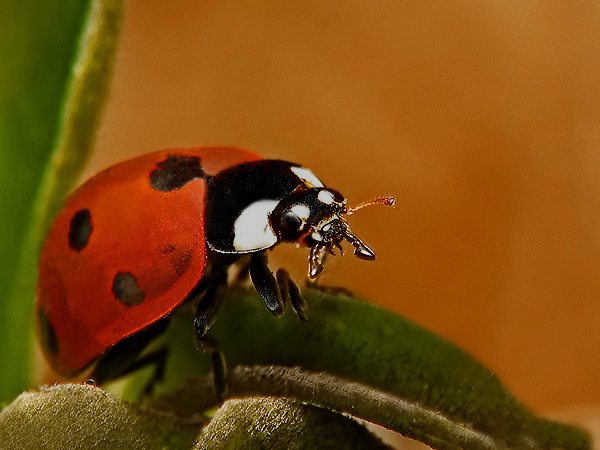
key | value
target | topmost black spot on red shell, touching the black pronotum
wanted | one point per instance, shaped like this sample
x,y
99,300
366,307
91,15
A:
x,y
175,171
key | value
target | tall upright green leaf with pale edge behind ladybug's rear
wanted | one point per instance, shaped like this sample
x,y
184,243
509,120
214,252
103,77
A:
x,y
55,61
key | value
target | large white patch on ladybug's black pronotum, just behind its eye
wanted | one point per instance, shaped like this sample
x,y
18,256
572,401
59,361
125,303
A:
x,y
252,230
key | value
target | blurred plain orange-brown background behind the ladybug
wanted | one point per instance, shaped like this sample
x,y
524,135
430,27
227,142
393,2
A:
x,y
483,118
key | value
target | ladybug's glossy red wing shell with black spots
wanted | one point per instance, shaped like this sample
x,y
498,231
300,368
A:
x,y
127,248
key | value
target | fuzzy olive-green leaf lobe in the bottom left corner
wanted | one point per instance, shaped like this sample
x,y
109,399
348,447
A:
x,y
78,416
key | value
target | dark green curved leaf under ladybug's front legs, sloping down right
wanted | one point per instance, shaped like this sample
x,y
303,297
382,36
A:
x,y
355,342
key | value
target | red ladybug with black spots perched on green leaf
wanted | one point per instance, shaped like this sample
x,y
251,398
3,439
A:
x,y
139,238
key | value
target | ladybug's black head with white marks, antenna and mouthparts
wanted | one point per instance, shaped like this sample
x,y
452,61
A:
x,y
315,218
